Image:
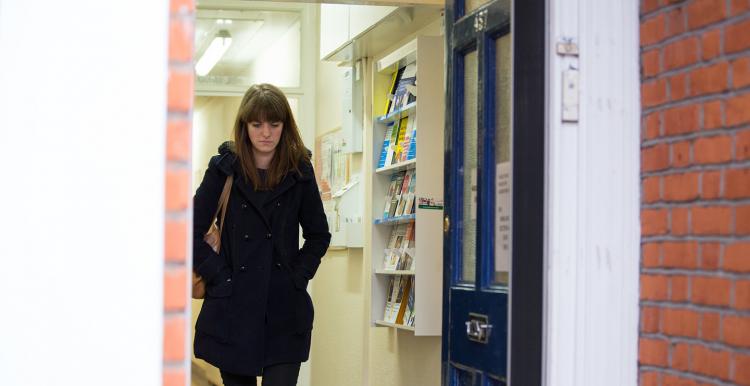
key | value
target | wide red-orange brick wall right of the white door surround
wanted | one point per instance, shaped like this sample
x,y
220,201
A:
x,y
695,213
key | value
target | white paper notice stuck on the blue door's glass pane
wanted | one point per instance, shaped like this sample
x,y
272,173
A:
x,y
503,211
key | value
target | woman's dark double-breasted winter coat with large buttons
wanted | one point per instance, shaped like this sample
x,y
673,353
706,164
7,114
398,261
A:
x,y
257,311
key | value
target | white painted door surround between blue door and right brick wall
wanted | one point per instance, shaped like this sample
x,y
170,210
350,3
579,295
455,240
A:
x,y
593,198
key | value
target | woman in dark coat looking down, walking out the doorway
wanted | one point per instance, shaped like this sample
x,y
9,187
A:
x,y
257,317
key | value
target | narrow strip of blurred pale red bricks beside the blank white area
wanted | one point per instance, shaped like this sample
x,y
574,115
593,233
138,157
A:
x,y
178,171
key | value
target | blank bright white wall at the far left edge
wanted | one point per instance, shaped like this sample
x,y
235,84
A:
x,y
82,127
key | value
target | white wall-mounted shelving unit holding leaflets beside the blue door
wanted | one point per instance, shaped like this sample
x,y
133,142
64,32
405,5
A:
x,y
429,112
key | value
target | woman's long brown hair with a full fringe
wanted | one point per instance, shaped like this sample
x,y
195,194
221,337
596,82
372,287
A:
x,y
266,102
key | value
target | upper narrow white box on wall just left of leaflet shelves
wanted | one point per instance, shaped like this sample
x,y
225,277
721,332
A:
x,y
351,122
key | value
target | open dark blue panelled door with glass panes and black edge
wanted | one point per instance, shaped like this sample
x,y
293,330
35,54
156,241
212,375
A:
x,y
494,193
